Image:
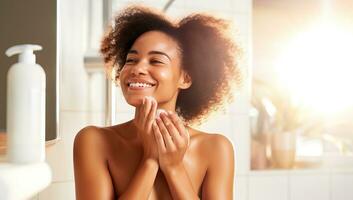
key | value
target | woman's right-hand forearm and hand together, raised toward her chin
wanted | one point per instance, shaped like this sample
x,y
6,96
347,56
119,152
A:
x,y
173,140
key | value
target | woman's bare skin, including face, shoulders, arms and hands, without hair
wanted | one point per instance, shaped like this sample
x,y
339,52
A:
x,y
152,157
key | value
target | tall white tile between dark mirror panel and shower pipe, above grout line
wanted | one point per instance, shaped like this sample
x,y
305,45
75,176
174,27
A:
x,y
73,79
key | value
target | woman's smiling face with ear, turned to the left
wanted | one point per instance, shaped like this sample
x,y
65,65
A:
x,y
152,68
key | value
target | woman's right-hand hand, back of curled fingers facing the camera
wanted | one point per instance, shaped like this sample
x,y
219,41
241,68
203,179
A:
x,y
172,140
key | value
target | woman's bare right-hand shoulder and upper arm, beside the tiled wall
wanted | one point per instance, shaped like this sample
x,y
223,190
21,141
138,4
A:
x,y
218,181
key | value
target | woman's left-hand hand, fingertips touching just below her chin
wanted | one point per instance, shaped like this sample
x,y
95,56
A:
x,y
144,118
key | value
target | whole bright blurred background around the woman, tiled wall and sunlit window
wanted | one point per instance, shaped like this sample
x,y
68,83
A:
x,y
291,121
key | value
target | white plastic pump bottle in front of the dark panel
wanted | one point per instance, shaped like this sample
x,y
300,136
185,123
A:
x,y
25,107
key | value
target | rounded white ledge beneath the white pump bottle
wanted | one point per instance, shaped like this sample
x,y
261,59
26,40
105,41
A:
x,y
23,181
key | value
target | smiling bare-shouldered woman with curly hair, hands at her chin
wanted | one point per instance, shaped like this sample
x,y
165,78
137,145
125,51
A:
x,y
186,69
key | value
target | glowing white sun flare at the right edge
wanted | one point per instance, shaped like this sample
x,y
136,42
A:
x,y
317,67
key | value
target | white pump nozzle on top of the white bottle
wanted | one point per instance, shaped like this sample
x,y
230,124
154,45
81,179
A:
x,y
25,51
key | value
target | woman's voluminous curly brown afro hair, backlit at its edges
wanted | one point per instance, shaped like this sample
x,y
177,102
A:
x,y
209,55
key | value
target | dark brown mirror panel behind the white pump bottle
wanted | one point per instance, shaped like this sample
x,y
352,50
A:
x,y
31,22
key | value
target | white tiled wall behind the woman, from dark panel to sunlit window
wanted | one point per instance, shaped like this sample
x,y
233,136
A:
x,y
76,110
